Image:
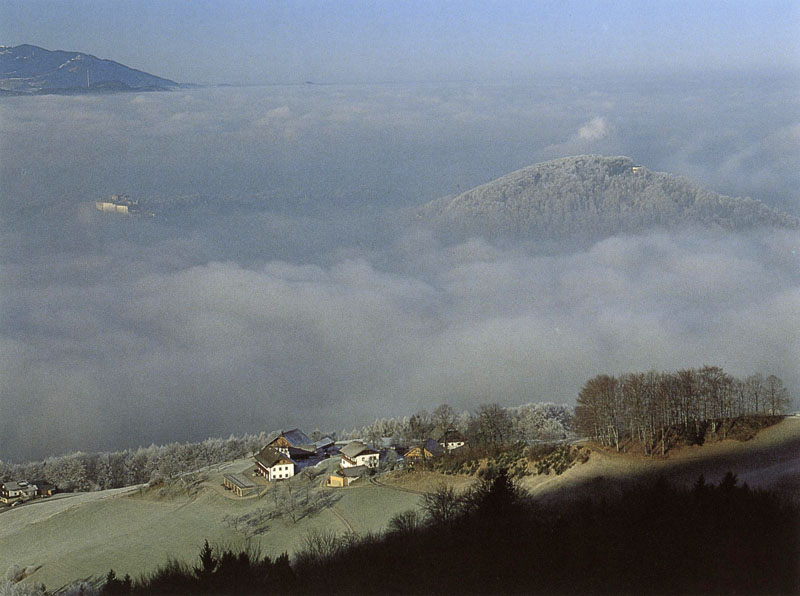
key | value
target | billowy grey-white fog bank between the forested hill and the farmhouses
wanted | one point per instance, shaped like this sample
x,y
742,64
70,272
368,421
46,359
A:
x,y
172,353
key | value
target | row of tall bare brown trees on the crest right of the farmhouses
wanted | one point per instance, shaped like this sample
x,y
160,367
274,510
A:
x,y
646,406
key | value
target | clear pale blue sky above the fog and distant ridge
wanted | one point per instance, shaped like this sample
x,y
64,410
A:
x,y
349,41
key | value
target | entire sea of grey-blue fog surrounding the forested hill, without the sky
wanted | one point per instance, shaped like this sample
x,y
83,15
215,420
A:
x,y
305,310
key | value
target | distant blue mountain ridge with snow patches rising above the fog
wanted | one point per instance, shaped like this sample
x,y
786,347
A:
x,y
28,69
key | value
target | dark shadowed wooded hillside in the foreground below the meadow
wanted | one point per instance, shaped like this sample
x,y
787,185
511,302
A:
x,y
652,538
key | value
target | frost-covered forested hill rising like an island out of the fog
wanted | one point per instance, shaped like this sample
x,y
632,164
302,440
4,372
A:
x,y
595,196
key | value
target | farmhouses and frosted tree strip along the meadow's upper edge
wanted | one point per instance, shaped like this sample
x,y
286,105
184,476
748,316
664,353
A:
x,y
345,457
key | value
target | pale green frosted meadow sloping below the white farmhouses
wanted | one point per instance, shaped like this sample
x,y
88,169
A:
x,y
86,535
